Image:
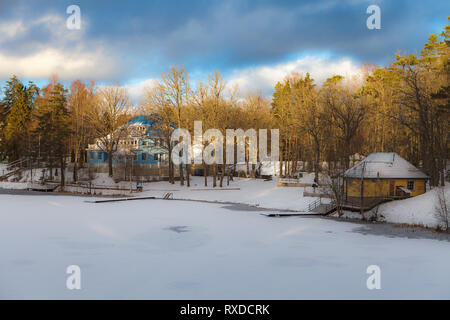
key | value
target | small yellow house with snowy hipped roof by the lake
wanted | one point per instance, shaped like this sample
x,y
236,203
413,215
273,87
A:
x,y
384,175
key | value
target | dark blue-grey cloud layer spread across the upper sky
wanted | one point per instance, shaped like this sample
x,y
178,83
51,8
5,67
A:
x,y
150,35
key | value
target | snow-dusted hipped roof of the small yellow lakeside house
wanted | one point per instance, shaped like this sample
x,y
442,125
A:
x,y
385,165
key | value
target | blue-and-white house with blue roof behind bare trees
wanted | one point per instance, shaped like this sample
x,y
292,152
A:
x,y
142,144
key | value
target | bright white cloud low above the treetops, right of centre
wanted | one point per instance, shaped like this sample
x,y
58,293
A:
x,y
265,77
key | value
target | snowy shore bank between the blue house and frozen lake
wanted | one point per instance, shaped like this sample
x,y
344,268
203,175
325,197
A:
x,y
255,192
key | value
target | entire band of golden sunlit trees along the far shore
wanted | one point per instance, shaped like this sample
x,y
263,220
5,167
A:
x,y
401,108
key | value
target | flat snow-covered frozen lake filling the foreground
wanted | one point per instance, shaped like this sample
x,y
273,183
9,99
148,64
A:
x,y
156,249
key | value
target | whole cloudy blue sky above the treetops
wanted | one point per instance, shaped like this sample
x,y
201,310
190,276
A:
x,y
254,43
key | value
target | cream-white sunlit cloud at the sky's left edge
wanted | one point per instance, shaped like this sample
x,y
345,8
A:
x,y
67,54
